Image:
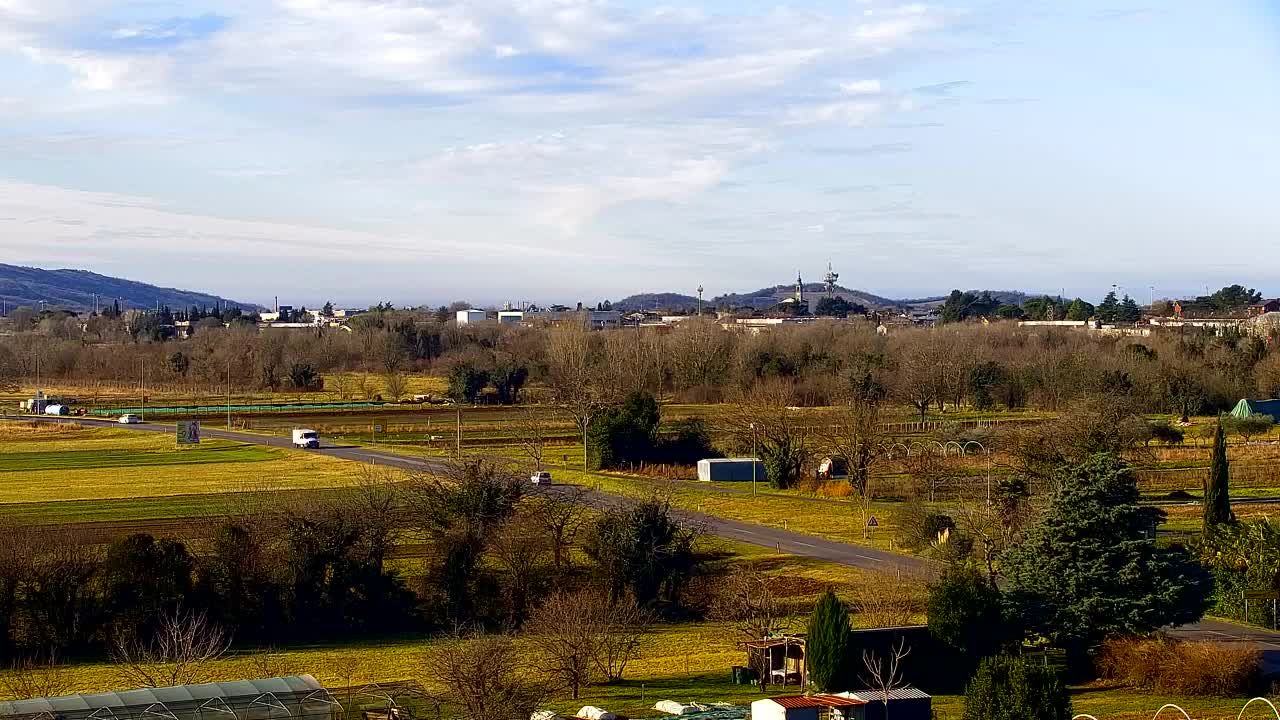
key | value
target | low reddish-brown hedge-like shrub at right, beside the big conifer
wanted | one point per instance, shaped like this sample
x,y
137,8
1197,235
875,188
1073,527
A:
x,y
1164,666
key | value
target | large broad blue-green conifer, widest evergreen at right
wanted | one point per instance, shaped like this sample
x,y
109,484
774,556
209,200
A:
x,y
1090,569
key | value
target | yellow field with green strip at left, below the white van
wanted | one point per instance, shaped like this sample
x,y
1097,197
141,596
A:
x,y
103,464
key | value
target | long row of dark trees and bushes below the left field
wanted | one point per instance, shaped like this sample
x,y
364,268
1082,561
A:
x,y
278,572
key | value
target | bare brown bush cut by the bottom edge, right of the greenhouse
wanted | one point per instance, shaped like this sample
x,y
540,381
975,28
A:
x,y
486,678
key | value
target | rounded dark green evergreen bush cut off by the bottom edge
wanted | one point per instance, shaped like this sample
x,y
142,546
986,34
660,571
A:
x,y
1011,689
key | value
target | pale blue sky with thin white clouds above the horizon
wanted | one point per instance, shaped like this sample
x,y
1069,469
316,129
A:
x,y
560,151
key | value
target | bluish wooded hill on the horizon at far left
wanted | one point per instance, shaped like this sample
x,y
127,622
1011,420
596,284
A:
x,y
75,290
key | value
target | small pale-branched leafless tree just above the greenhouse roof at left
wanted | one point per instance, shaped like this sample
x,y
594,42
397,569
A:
x,y
185,646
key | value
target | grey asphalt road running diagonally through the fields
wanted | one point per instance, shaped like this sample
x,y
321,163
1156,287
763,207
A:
x,y
784,541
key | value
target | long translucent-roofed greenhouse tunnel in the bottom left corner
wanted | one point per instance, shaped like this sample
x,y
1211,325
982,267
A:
x,y
295,698
